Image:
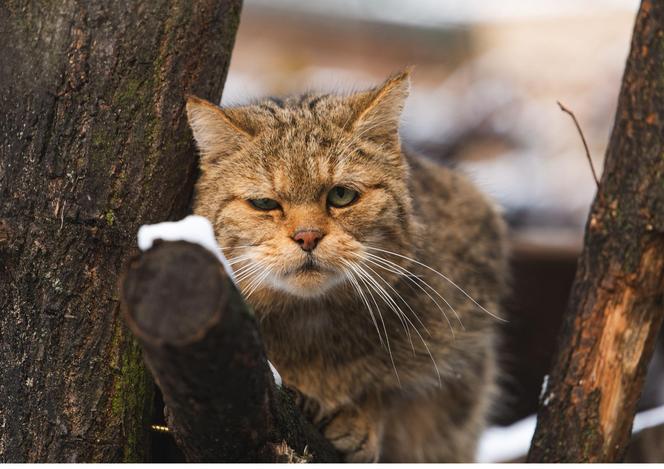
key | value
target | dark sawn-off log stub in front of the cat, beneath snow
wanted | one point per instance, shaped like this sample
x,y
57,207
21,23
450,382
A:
x,y
205,352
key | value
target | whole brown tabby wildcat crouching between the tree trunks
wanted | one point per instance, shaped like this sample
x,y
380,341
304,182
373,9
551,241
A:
x,y
375,275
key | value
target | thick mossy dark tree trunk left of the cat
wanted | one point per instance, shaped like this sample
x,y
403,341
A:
x,y
94,142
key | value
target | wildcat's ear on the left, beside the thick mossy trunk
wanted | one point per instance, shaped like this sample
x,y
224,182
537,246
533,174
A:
x,y
218,132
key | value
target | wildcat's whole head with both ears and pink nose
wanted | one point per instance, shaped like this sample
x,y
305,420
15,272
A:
x,y
297,189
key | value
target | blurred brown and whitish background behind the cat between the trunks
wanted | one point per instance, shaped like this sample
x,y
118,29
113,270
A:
x,y
486,80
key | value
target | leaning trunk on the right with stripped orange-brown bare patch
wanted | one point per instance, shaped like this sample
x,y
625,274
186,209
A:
x,y
617,301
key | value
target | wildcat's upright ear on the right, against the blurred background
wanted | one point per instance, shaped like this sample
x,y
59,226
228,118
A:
x,y
378,111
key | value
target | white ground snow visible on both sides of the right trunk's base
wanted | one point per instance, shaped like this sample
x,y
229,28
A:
x,y
500,444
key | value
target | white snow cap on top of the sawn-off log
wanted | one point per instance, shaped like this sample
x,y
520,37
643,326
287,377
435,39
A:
x,y
193,229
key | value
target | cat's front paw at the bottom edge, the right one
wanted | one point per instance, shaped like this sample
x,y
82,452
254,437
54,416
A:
x,y
353,435
